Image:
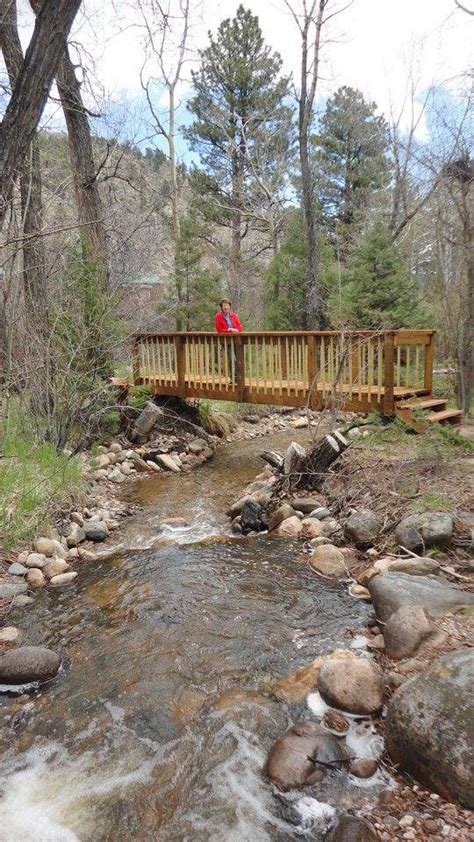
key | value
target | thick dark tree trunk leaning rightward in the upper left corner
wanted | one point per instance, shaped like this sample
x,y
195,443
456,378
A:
x,y
31,90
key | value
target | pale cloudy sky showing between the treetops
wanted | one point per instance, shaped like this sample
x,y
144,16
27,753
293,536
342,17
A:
x,y
372,45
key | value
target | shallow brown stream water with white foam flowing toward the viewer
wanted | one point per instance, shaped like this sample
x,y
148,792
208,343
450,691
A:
x,y
158,726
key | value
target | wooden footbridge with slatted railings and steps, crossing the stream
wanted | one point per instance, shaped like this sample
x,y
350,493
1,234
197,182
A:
x,y
389,371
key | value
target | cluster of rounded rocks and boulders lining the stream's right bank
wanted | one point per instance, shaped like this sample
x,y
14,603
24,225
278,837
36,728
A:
x,y
429,717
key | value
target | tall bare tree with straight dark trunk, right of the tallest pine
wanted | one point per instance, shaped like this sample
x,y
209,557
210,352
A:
x,y
311,17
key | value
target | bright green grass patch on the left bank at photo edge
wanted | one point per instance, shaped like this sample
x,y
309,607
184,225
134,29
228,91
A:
x,y
35,481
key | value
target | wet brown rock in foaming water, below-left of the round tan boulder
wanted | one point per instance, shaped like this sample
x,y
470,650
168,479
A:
x,y
290,763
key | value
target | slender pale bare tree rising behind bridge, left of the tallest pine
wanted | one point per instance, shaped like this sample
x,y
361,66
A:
x,y
166,41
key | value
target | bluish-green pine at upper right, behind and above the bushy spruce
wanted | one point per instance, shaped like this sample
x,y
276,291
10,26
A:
x,y
351,163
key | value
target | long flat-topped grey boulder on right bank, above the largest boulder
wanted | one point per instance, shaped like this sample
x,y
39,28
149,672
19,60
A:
x,y
397,590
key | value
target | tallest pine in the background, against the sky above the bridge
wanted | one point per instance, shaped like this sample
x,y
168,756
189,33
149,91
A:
x,y
238,104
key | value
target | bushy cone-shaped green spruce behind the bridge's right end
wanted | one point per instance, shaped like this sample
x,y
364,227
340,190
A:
x,y
378,290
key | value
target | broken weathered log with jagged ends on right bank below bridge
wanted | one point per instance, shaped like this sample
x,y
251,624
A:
x,y
307,469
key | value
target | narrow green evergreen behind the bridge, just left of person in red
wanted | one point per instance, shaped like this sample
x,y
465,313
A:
x,y
199,287
